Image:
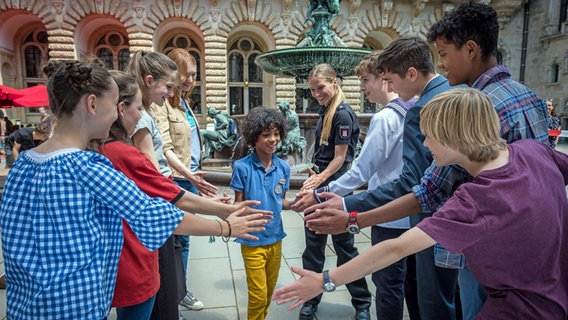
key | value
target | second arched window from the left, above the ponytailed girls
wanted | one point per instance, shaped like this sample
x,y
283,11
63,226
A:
x,y
112,49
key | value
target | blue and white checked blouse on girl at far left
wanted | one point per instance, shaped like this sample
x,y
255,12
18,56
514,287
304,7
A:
x,y
61,227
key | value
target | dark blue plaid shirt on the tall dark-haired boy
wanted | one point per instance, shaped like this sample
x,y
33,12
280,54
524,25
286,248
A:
x,y
523,116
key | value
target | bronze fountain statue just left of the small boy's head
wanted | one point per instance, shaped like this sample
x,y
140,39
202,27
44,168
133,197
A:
x,y
223,136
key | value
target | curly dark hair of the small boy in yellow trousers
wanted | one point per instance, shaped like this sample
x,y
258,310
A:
x,y
260,119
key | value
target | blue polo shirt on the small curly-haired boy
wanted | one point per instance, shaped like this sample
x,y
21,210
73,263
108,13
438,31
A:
x,y
267,187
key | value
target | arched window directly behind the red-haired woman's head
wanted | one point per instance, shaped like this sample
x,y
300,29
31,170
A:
x,y
183,41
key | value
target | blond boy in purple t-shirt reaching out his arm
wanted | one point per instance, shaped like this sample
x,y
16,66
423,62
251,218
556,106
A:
x,y
510,221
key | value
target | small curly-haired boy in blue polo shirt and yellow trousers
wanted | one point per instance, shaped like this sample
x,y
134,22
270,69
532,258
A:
x,y
264,177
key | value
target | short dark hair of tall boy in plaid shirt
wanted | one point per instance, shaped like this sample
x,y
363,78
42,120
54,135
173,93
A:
x,y
469,21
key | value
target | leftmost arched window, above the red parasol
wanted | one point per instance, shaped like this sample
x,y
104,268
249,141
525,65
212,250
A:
x,y
35,57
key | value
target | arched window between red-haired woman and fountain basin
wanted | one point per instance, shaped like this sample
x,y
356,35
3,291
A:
x,y
246,86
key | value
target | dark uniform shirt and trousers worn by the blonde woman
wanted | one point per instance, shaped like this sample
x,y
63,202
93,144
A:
x,y
344,130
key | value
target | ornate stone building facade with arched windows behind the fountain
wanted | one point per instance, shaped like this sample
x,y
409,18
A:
x,y
226,35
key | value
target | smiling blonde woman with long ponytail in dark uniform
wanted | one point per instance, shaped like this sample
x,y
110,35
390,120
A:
x,y
336,136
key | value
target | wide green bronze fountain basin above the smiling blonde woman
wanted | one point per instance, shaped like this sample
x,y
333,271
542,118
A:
x,y
298,62
